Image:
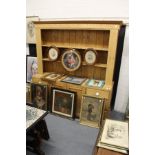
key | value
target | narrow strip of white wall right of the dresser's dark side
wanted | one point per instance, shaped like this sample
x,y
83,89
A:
x,y
122,95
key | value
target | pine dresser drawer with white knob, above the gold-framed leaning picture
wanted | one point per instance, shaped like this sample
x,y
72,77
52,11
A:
x,y
97,93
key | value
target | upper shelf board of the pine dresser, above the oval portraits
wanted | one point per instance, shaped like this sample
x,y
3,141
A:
x,y
96,48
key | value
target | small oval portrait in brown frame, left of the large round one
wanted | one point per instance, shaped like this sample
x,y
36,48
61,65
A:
x,y
53,53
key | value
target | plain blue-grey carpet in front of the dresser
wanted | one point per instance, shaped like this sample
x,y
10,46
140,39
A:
x,y
68,137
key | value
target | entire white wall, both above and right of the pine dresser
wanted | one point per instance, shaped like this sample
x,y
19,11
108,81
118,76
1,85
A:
x,y
94,10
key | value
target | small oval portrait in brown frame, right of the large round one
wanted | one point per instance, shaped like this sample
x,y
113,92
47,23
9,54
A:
x,y
90,56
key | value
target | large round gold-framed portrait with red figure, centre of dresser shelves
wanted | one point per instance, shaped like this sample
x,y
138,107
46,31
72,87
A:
x,y
71,60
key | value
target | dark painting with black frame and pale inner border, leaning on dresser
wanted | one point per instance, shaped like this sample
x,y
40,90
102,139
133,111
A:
x,y
63,102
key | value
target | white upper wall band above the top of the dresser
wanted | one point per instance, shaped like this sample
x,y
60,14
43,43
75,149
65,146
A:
x,y
78,9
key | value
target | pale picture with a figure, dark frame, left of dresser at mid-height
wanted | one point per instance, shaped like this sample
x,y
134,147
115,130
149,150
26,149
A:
x,y
31,67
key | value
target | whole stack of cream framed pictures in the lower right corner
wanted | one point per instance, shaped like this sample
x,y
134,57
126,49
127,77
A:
x,y
114,136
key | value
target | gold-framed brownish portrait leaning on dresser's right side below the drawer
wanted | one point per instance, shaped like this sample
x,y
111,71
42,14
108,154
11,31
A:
x,y
91,111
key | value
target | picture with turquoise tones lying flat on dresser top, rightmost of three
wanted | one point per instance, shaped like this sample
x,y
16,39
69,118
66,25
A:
x,y
95,83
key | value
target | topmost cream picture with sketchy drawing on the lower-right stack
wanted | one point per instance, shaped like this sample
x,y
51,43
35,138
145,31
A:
x,y
115,133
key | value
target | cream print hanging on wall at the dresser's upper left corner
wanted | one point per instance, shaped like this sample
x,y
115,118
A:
x,y
30,29
